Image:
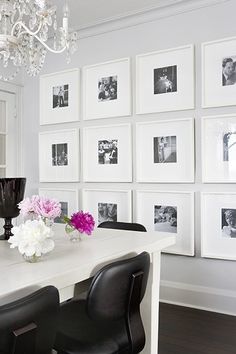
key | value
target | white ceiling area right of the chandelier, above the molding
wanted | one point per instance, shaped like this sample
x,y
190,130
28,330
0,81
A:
x,y
85,13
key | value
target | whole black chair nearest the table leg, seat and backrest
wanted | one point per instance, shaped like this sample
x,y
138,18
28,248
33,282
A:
x,y
108,321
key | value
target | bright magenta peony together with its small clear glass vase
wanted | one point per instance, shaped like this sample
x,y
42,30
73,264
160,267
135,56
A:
x,y
79,223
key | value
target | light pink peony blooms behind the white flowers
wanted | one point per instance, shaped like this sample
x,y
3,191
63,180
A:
x,y
40,207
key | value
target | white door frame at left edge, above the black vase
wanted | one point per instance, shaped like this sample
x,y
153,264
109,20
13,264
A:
x,y
18,91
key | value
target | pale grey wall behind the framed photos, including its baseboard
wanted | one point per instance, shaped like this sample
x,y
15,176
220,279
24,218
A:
x,y
190,280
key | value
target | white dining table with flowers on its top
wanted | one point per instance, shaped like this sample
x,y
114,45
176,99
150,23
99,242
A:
x,y
71,263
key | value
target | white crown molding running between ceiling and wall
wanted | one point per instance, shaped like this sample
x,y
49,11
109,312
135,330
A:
x,y
165,8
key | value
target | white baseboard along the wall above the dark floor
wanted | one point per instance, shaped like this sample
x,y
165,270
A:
x,y
199,297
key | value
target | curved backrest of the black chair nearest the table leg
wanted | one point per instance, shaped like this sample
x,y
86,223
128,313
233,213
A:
x,y
116,293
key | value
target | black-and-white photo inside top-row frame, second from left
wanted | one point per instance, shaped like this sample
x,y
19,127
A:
x,y
107,88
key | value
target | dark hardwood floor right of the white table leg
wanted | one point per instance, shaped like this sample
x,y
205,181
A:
x,y
185,330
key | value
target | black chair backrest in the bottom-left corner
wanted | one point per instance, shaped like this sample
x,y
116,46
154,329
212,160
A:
x,y
28,325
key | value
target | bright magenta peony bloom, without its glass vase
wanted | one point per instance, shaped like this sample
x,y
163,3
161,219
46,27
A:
x,y
83,222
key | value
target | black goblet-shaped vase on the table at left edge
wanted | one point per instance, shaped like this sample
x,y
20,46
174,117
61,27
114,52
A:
x,y
11,193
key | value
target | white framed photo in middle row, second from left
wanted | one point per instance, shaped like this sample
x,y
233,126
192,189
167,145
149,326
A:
x,y
100,146
